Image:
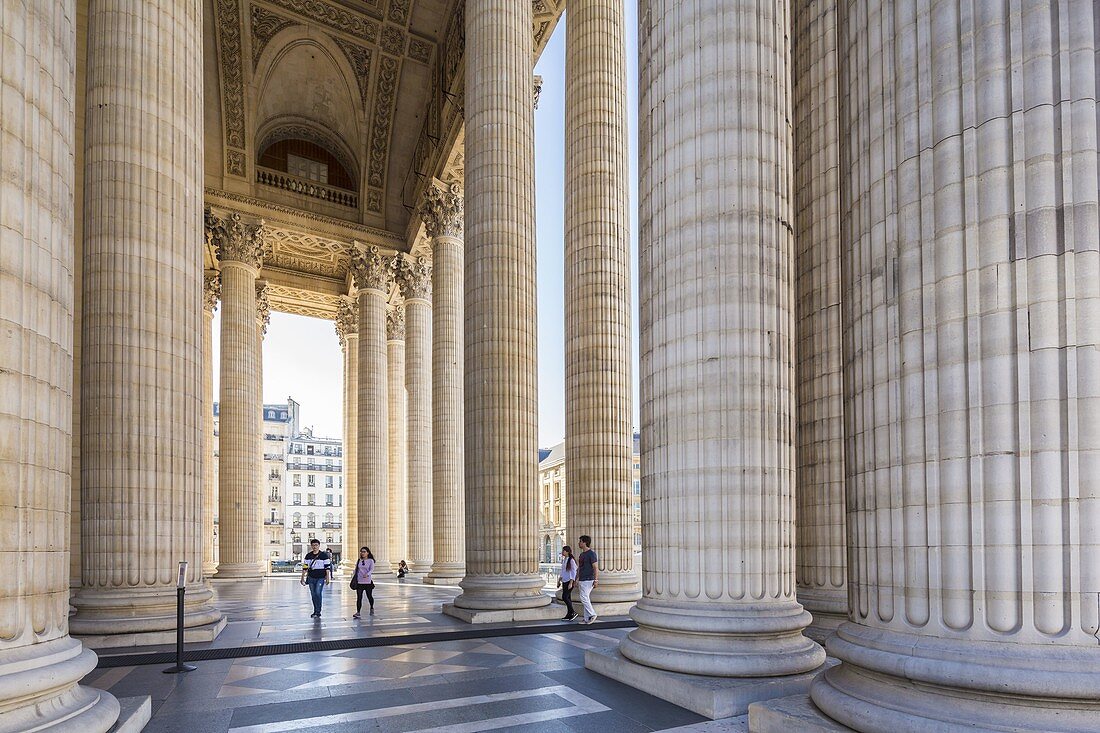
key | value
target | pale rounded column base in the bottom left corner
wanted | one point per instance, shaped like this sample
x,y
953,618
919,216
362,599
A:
x,y
39,691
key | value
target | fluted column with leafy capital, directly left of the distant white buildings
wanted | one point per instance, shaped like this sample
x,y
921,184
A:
x,y
240,517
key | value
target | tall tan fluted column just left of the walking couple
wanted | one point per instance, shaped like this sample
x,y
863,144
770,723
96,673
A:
x,y
501,374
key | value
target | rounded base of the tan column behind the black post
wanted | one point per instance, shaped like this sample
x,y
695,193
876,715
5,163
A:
x,y
137,617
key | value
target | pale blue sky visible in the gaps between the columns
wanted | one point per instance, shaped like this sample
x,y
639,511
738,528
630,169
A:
x,y
302,356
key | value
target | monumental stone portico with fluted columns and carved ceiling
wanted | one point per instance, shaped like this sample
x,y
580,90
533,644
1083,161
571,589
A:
x,y
870,329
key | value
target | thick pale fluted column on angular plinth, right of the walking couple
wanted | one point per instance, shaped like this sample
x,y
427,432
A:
x,y
718,464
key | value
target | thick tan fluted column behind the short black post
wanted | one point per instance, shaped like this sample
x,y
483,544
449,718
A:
x,y
141,403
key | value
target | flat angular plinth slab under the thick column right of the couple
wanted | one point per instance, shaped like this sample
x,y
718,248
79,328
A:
x,y
711,697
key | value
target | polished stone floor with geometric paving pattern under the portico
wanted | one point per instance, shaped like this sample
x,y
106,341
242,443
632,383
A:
x,y
534,683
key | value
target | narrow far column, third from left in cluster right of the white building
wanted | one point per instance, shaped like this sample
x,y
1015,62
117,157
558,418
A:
x,y
397,437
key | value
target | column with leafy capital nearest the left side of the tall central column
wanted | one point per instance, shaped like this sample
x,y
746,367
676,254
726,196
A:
x,y
443,218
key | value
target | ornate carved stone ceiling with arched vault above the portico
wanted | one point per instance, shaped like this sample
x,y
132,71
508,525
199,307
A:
x,y
391,111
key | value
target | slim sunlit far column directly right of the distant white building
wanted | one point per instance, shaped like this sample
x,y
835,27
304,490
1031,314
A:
x,y
348,332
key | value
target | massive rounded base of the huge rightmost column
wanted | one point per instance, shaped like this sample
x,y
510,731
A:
x,y
904,683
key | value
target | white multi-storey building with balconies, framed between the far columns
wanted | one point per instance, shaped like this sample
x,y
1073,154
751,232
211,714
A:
x,y
314,495
